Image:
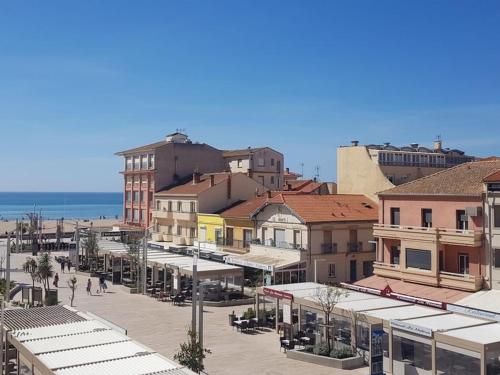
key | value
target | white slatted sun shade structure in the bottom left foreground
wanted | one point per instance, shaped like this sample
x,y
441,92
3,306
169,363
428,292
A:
x,y
86,346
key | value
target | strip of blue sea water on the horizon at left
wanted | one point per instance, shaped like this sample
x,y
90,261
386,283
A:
x,y
61,205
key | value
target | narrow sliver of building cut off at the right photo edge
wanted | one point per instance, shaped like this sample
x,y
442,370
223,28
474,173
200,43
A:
x,y
492,227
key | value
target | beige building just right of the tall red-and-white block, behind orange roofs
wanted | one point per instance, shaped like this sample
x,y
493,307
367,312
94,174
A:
x,y
263,164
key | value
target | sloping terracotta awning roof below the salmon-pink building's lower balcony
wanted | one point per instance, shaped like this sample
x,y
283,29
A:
x,y
414,290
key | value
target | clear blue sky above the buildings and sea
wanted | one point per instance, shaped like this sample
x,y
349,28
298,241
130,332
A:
x,y
80,80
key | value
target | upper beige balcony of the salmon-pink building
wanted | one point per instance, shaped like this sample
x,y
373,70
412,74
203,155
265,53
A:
x,y
443,235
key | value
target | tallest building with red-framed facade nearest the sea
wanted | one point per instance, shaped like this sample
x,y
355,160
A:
x,y
151,168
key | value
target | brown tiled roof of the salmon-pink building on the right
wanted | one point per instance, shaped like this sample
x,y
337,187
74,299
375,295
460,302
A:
x,y
462,180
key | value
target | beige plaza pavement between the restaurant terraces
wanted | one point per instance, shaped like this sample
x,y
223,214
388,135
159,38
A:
x,y
162,326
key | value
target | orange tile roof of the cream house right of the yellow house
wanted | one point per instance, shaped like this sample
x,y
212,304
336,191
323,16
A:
x,y
329,208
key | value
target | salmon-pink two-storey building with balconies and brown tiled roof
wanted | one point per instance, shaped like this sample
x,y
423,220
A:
x,y
431,230
